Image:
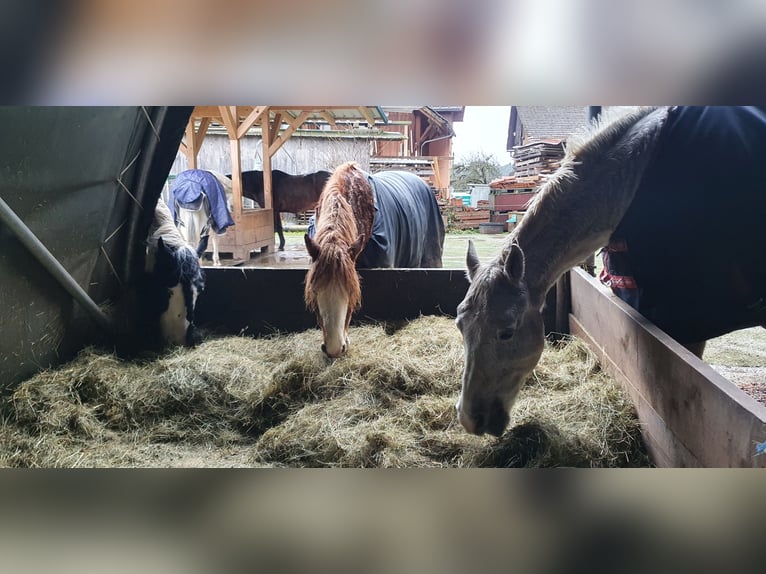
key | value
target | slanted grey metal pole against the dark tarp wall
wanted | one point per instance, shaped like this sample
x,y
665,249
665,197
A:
x,y
51,264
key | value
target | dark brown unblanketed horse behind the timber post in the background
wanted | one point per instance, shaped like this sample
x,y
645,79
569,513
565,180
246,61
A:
x,y
289,193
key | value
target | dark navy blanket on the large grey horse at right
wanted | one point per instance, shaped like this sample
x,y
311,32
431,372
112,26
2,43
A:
x,y
690,253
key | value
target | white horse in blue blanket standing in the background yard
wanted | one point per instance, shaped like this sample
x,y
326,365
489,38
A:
x,y
200,202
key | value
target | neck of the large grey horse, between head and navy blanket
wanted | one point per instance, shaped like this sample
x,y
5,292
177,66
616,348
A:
x,y
576,211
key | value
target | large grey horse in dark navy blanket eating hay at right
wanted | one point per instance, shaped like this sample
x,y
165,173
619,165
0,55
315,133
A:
x,y
681,189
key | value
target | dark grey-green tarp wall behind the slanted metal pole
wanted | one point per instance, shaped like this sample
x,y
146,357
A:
x,y
85,181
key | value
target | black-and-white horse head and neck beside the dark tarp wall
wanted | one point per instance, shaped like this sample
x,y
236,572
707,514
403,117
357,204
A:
x,y
172,282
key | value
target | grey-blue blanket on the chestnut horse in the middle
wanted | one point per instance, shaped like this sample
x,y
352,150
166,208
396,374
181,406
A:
x,y
408,230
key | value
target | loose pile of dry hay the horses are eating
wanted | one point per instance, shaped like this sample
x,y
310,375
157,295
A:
x,y
277,401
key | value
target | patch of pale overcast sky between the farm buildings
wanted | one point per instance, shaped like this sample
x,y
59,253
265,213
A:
x,y
483,129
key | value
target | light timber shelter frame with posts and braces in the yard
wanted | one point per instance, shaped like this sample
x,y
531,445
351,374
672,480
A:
x,y
254,228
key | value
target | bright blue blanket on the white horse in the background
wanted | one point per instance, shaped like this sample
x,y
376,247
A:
x,y
187,191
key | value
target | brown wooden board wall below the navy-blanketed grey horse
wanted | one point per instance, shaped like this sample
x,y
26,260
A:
x,y
690,414
